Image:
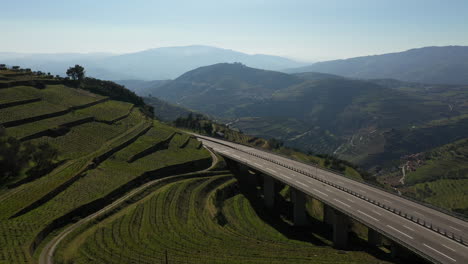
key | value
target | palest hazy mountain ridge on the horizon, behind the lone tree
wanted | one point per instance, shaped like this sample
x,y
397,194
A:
x,y
153,64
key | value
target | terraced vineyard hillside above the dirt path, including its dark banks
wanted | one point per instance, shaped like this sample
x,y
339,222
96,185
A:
x,y
95,137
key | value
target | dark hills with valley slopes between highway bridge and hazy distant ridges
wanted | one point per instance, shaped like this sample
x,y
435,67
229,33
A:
x,y
369,122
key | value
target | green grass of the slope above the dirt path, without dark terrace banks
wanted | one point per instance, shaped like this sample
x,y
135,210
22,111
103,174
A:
x,y
78,147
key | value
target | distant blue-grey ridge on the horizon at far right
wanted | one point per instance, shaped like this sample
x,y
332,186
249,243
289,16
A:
x,y
436,65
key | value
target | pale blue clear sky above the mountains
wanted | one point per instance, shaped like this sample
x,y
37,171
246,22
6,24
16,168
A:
x,y
307,30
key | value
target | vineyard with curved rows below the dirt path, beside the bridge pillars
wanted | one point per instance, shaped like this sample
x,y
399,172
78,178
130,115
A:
x,y
199,220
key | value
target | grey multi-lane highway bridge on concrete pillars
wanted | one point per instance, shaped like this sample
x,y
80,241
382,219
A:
x,y
430,233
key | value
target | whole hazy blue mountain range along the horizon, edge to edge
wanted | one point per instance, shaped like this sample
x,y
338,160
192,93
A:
x,y
433,65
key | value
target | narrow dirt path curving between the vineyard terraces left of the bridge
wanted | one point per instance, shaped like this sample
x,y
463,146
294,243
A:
x,y
47,253
